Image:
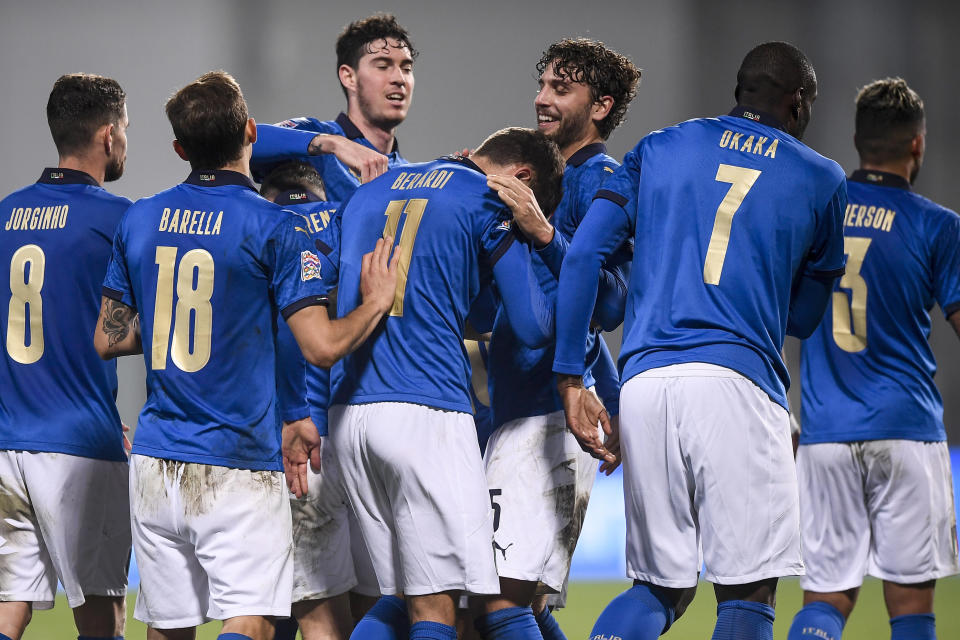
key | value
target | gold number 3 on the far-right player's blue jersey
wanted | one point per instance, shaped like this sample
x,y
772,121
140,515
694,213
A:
x,y
850,314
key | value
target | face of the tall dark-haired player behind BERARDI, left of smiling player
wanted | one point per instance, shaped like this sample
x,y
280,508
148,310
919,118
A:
x,y
384,83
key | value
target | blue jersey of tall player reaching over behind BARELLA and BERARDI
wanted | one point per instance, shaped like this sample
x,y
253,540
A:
x,y
276,143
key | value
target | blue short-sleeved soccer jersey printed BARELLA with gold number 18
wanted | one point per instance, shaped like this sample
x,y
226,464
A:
x,y
207,264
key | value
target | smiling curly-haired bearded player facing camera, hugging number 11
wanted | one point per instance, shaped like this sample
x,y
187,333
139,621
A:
x,y
539,477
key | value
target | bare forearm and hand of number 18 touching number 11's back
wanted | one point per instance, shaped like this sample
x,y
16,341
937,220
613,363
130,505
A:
x,y
324,341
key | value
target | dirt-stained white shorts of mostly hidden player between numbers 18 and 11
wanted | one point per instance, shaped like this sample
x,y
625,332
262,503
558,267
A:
x,y
322,566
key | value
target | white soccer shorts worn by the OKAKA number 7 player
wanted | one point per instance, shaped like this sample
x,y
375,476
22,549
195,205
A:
x,y
707,463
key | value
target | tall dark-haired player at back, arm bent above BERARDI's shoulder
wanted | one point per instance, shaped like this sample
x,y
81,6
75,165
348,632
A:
x,y
375,67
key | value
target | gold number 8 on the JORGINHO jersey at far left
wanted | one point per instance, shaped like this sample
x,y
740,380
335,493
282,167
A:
x,y
25,301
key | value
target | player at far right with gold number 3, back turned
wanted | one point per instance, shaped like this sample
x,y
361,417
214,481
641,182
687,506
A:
x,y
873,466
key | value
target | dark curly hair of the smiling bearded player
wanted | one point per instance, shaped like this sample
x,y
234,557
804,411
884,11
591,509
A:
x,y
605,71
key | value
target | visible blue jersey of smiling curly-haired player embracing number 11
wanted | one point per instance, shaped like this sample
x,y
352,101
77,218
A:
x,y
521,379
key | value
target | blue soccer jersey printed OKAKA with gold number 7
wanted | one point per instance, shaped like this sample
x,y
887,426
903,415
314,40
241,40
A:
x,y
728,216
